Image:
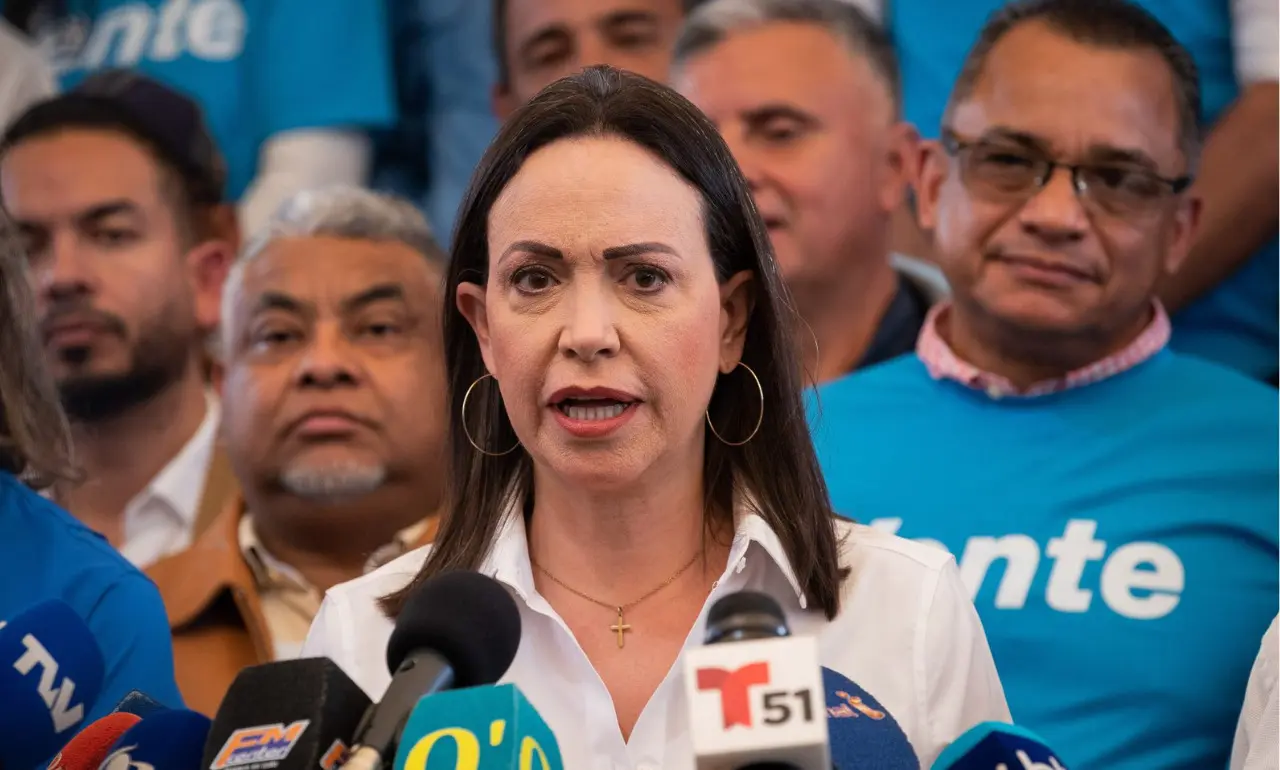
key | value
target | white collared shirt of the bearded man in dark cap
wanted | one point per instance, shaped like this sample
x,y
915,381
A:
x,y
161,520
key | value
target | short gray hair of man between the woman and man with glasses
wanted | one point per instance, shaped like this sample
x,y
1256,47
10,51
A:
x,y
711,22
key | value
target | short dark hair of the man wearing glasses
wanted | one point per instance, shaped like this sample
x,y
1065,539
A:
x,y
1103,24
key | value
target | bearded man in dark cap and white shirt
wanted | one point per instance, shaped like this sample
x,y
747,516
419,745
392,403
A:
x,y
117,192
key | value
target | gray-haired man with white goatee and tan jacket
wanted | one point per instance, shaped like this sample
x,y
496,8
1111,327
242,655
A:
x,y
333,416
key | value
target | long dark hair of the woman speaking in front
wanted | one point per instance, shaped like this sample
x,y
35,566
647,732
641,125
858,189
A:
x,y
778,466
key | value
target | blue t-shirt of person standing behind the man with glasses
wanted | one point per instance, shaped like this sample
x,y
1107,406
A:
x,y
1237,323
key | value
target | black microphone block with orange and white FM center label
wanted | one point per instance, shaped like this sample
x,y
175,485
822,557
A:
x,y
287,716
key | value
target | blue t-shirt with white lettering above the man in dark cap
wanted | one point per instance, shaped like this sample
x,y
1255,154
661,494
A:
x,y
257,67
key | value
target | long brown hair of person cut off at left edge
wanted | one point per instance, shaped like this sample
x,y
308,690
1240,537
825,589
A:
x,y
35,439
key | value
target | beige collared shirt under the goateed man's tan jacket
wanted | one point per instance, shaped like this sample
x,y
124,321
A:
x,y
290,603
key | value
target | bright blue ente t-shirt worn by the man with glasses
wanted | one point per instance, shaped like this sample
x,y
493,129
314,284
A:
x,y
1121,539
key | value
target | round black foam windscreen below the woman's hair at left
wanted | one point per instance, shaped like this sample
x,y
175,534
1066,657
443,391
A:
x,y
467,618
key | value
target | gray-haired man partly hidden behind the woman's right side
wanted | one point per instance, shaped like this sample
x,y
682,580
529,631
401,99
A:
x,y
807,95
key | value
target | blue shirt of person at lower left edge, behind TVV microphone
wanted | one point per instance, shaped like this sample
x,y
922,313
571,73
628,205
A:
x,y
47,554
